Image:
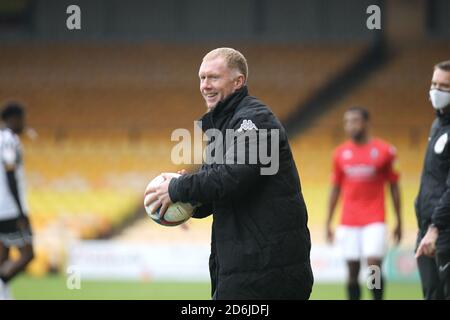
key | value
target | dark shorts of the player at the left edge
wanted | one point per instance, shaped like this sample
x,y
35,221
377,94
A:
x,y
11,235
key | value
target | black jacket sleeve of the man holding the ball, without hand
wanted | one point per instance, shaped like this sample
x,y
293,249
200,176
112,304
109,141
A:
x,y
229,179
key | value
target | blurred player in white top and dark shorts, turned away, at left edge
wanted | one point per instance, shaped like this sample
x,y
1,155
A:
x,y
15,230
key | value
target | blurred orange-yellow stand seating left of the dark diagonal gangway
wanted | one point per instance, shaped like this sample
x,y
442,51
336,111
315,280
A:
x,y
104,114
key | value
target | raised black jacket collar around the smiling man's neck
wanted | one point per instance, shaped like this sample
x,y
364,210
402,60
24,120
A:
x,y
212,118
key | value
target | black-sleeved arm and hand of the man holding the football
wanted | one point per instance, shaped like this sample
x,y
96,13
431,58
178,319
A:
x,y
229,179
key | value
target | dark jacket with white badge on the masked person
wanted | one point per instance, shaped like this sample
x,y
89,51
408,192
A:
x,y
433,202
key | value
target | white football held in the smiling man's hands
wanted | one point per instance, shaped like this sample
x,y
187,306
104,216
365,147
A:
x,y
175,215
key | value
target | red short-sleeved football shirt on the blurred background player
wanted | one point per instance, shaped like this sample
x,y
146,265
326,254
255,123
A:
x,y
362,171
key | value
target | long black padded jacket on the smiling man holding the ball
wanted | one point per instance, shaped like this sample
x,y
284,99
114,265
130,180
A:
x,y
260,241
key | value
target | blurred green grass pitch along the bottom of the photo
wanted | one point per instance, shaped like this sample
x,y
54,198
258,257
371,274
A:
x,y
54,287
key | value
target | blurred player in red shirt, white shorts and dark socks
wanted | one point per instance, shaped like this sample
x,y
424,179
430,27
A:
x,y
361,168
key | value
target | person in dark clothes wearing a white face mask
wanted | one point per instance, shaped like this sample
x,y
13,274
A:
x,y
433,201
